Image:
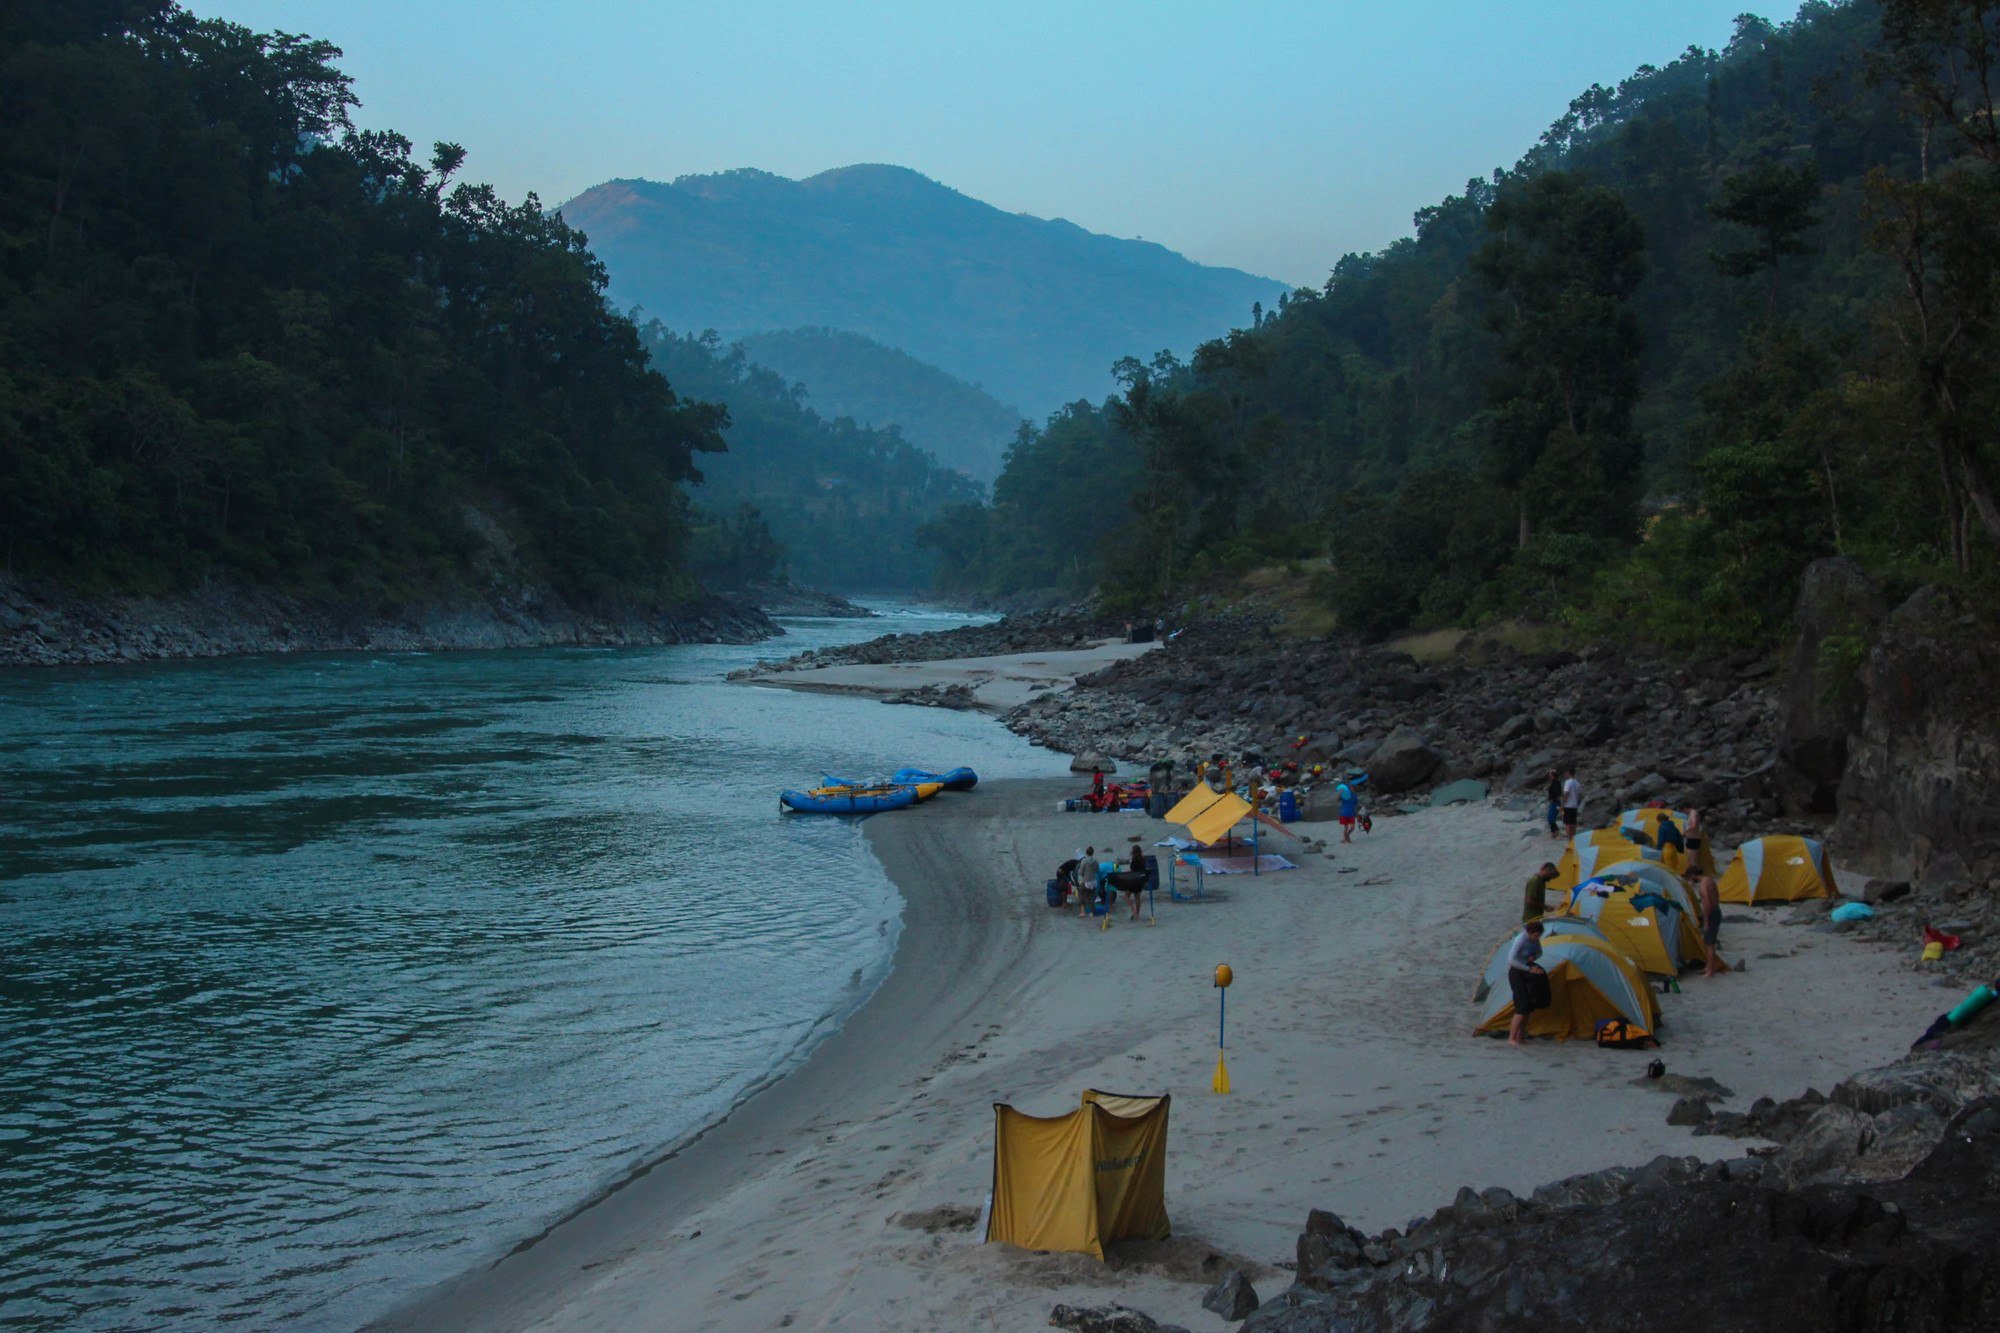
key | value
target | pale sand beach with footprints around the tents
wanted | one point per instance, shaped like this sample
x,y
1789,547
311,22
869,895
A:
x,y
1359,1086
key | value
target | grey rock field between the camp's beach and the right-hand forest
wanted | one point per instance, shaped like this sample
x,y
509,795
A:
x,y
1637,728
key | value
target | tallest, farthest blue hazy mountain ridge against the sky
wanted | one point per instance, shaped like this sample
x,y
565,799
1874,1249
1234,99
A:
x,y
1029,309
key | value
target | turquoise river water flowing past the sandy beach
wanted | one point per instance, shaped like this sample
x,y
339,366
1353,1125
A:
x,y
329,978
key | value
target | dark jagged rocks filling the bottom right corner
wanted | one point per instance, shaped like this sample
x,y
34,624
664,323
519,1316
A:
x,y
1717,1246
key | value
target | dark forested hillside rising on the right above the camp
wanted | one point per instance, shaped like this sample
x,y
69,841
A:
x,y
1729,317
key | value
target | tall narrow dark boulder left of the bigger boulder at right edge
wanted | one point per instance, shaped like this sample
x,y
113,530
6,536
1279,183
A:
x,y
1821,696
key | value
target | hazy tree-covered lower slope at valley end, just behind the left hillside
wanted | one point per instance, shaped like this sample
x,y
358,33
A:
x,y
845,501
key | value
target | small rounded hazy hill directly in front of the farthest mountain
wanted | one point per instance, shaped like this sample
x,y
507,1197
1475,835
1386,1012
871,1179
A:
x,y
849,375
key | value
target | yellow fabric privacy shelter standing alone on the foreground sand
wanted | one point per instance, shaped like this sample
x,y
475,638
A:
x,y
1083,1180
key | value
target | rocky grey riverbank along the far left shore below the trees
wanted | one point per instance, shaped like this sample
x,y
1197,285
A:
x,y
49,627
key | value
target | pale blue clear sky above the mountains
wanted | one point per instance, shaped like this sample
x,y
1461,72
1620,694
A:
x,y
1271,137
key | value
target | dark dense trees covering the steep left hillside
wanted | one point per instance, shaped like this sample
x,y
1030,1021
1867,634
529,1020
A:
x,y
243,339
